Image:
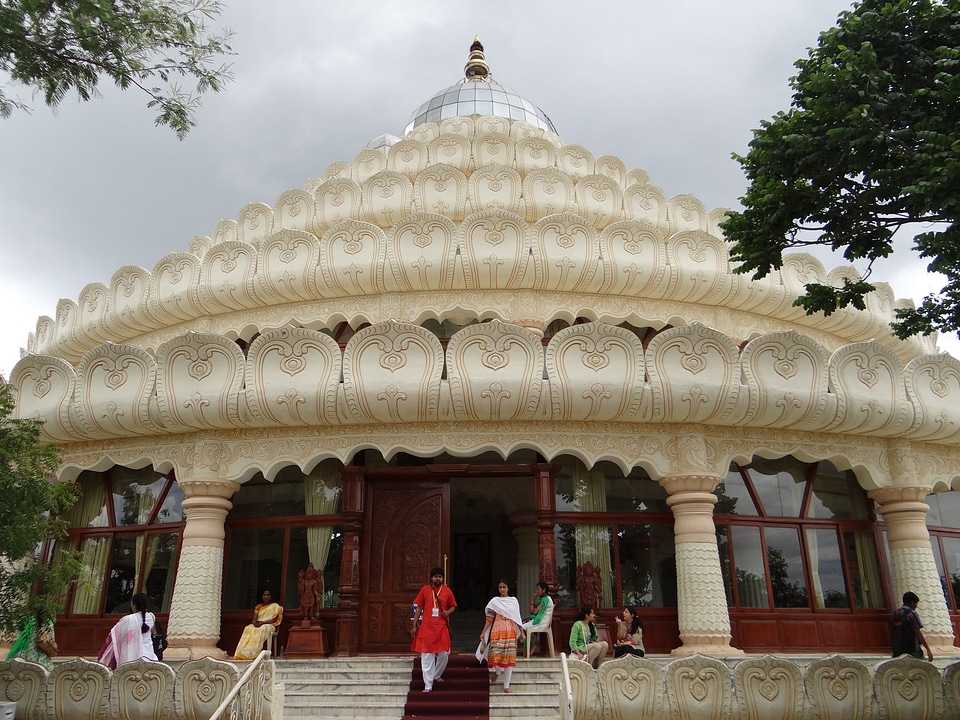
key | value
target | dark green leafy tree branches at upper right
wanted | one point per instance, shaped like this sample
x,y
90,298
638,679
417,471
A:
x,y
870,144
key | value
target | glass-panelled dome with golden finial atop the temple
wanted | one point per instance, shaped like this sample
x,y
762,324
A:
x,y
478,94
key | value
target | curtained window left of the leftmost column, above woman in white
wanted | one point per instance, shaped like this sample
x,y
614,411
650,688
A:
x,y
127,526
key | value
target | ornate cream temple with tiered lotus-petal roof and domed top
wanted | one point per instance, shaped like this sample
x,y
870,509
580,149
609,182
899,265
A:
x,y
476,346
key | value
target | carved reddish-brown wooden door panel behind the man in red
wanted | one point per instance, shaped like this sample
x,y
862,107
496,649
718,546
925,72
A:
x,y
406,532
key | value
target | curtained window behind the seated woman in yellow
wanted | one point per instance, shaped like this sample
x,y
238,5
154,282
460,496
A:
x,y
277,529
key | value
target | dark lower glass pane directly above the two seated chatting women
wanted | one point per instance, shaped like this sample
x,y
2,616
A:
x,y
648,565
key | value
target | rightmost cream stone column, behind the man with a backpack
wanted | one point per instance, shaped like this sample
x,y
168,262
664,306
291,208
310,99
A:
x,y
914,567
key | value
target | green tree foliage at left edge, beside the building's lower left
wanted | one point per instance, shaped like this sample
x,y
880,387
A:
x,y
28,517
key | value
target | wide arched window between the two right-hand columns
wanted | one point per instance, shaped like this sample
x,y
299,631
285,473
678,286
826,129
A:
x,y
797,535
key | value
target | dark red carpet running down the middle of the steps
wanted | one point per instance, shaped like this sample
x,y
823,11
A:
x,y
463,694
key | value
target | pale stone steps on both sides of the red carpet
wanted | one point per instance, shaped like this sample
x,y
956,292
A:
x,y
376,687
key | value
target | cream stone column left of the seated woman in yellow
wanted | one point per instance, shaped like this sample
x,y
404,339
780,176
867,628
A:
x,y
194,626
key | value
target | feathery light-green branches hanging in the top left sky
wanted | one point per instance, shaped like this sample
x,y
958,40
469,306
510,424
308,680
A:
x,y
55,46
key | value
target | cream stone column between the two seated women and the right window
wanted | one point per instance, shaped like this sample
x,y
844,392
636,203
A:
x,y
702,603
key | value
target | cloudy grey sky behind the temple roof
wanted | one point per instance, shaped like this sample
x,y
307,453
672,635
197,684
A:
x,y
670,87
